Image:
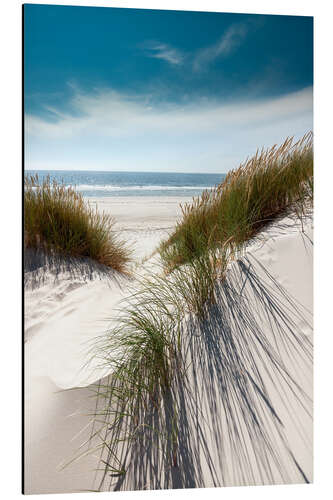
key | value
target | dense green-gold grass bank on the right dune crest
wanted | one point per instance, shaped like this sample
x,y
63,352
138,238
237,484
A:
x,y
269,185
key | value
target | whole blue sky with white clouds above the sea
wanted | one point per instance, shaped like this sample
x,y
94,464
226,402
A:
x,y
151,90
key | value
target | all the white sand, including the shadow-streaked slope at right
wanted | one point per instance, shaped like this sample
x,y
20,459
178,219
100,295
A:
x,y
267,294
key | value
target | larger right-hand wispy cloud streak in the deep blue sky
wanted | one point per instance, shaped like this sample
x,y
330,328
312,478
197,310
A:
x,y
229,41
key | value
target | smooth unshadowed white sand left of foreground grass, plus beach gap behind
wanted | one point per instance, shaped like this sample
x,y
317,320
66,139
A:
x,y
63,316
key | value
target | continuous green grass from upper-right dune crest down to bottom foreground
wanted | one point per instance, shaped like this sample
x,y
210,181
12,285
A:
x,y
144,351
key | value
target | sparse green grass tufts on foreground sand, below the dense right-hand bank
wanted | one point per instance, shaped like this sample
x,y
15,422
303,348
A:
x,y
144,354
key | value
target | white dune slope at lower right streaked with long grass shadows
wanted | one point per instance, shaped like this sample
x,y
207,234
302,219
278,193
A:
x,y
242,415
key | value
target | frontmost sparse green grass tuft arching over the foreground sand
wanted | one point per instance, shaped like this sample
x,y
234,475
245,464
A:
x,y
143,354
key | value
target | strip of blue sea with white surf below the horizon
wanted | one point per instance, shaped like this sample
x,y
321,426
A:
x,y
101,184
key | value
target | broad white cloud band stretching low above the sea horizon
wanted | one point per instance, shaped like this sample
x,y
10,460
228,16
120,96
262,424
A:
x,y
109,130
